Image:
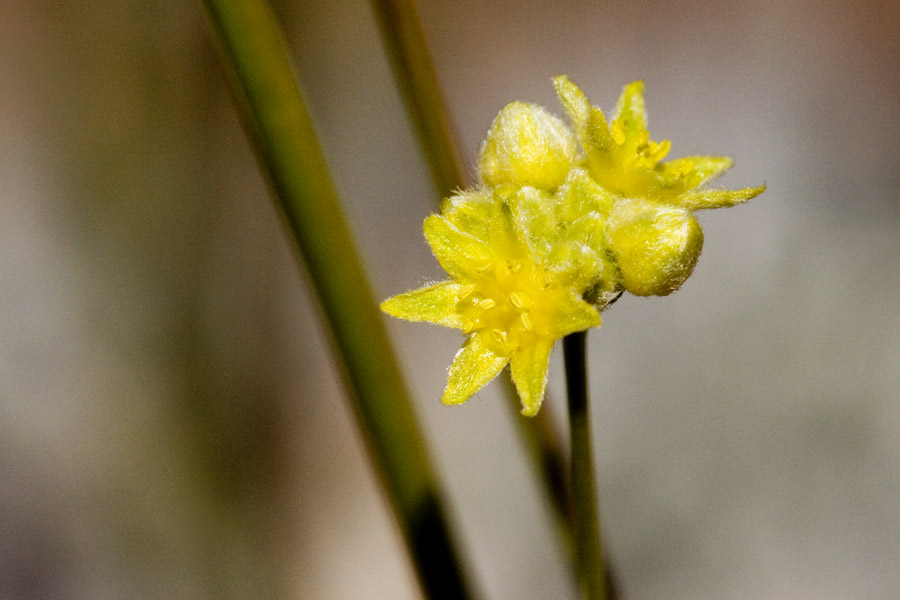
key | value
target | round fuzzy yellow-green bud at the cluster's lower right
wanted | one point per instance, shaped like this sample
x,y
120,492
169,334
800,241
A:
x,y
655,246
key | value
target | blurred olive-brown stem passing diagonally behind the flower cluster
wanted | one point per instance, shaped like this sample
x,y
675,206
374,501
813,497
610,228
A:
x,y
407,45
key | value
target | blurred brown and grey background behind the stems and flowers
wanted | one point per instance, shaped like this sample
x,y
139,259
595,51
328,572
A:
x,y
171,423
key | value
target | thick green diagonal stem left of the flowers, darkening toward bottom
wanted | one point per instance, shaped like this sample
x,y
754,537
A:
x,y
277,121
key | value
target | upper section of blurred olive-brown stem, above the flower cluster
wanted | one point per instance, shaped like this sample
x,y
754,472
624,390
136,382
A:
x,y
405,38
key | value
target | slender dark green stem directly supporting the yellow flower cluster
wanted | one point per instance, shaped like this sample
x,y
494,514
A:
x,y
584,495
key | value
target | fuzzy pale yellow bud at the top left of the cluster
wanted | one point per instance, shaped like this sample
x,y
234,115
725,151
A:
x,y
526,145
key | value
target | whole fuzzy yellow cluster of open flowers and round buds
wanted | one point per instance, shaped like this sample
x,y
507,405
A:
x,y
564,220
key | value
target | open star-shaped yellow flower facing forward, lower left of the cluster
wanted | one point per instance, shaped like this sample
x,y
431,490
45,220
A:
x,y
505,295
